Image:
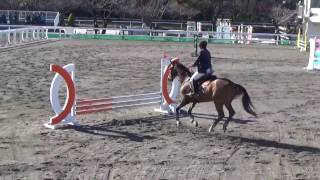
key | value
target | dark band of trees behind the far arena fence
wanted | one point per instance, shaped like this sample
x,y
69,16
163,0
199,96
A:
x,y
243,11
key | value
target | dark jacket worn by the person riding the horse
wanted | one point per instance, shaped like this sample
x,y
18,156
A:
x,y
204,61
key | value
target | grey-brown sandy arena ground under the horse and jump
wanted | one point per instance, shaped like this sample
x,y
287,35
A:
x,y
281,143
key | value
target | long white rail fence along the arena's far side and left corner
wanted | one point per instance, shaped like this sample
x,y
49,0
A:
x,y
21,36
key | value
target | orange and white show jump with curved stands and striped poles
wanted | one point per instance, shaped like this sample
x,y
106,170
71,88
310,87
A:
x,y
73,107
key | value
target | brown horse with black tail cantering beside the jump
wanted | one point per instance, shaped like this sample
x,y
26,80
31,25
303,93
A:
x,y
221,91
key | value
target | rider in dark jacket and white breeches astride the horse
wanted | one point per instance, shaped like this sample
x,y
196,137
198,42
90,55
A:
x,y
204,67
